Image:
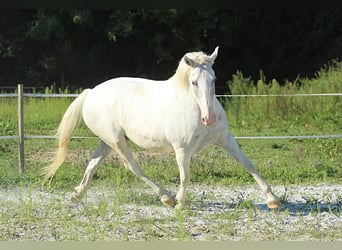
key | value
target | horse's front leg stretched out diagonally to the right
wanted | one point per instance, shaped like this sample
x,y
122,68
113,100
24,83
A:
x,y
230,145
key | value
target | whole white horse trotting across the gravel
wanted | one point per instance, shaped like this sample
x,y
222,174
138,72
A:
x,y
180,114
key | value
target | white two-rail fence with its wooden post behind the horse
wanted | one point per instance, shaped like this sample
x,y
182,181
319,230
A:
x,y
21,137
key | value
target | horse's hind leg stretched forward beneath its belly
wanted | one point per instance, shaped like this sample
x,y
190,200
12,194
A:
x,y
130,163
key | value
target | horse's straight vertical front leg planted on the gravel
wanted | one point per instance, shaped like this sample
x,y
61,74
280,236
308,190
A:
x,y
183,161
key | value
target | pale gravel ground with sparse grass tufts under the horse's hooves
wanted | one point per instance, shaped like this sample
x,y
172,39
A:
x,y
212,213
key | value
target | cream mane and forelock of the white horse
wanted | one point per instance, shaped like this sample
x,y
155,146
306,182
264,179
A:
x,y
180,78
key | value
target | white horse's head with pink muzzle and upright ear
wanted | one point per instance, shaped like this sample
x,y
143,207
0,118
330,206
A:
x,y
202,83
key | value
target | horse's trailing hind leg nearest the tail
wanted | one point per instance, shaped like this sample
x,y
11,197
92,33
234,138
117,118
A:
x,y
100,153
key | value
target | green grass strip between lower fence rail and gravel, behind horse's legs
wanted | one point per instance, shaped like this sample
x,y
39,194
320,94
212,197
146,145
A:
x,y
279,162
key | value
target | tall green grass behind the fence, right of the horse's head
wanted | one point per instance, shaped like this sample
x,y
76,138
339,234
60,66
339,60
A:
x,y
320,114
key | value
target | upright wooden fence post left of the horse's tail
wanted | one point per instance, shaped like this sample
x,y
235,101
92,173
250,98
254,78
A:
x,y
21,128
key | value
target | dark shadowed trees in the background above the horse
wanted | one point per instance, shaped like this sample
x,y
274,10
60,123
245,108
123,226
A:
x,y
80,47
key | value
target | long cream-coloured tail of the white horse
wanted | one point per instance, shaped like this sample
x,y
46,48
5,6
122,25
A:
x,y
71,119
